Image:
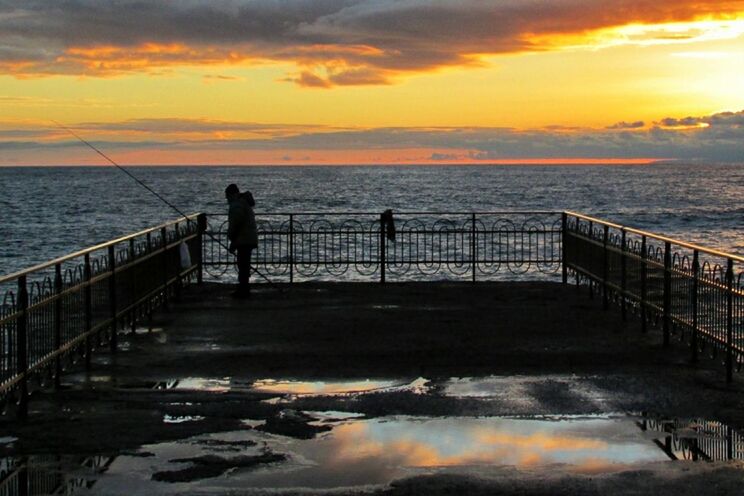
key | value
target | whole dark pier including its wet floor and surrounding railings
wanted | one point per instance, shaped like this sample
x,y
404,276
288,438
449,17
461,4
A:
x,y
124,351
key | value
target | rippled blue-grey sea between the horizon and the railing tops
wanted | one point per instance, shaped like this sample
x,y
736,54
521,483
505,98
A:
x,y
48,212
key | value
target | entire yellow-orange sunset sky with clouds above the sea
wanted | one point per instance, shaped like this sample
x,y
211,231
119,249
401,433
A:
x,y
371,81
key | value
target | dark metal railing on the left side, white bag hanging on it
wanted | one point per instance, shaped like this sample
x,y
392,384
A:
x,y
58,312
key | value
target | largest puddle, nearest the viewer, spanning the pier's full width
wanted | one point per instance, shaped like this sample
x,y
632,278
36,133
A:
x,y
359,452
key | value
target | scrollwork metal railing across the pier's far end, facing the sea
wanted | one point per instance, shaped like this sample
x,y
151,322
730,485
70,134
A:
x,y
355,246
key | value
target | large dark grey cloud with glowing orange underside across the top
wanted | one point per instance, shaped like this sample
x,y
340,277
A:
x,y
332,42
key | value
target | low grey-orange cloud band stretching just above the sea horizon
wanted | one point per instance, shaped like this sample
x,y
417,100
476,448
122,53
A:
x,y
716,137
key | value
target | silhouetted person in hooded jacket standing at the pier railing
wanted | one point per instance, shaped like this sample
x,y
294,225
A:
x,y
243,235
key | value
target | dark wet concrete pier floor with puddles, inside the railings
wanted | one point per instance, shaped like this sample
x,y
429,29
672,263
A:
x,y
393,384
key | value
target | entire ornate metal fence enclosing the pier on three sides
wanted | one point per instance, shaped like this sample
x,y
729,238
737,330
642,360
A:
x,y
59,312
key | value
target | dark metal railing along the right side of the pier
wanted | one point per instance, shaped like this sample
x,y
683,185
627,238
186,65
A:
x,y
690,290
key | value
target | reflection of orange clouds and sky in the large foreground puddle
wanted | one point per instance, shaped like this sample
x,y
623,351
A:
x,y
375,452
